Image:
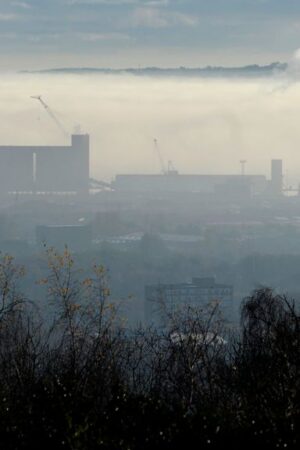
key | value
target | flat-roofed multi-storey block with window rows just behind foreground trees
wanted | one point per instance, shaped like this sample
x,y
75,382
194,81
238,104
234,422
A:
x,y
161,299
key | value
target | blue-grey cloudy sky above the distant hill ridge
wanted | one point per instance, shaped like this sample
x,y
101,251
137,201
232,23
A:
x,y
122,33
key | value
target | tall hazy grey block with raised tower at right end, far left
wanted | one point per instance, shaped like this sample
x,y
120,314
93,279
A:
x,y
46,169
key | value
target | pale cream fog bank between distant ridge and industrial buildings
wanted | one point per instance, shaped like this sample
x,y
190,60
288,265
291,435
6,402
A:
x,y
203,126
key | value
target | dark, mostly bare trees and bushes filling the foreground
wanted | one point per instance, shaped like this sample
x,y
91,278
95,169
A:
x,y
77,379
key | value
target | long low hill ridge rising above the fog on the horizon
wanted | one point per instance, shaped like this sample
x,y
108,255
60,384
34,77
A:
x,y
253,70
